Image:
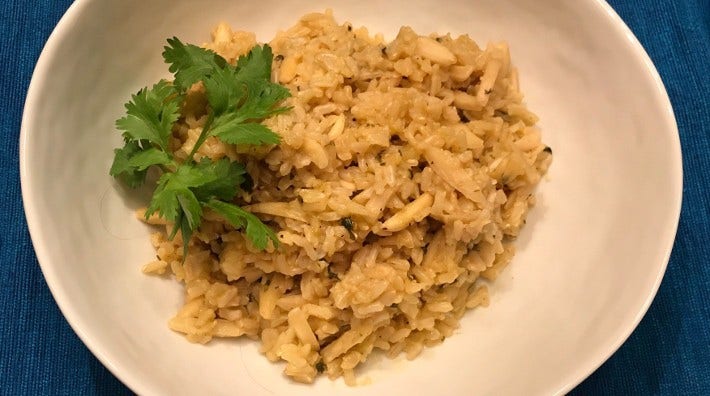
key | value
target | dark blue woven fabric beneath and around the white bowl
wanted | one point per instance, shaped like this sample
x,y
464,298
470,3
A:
x,y
668,354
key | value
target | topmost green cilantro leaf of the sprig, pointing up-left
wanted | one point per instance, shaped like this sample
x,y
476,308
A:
x,y
190,63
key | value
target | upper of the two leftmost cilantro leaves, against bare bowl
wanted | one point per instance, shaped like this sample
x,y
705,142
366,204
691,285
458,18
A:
x,y
151,114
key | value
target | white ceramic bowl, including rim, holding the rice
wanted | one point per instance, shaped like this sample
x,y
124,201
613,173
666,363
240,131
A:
x,y
590,259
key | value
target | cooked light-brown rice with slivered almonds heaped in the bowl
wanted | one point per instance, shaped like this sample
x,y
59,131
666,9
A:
x,y
405,172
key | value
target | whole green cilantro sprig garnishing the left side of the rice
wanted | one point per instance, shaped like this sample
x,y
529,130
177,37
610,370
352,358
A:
x,y
239,98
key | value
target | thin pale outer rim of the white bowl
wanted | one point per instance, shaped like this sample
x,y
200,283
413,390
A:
x,y
124,374
